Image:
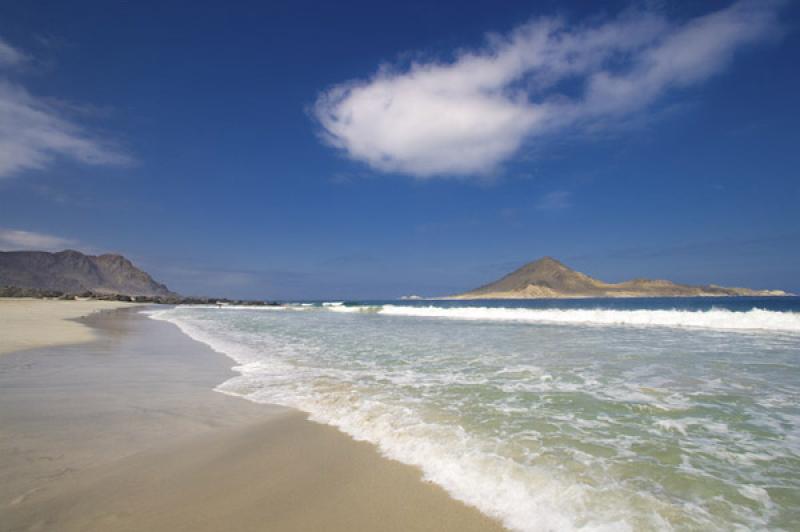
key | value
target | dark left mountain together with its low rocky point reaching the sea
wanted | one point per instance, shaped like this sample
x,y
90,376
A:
x,y
70,274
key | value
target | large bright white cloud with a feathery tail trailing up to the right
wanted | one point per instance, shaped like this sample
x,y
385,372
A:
x,y
467,116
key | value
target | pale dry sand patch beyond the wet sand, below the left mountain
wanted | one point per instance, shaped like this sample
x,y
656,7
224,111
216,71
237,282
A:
x,y
31,323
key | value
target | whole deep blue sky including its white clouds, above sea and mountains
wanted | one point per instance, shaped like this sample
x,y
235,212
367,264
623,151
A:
x,y
367,150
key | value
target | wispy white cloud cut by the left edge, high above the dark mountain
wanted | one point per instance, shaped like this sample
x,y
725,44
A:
x,y
34,132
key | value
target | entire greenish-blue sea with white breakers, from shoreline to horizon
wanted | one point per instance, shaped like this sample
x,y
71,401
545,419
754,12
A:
x,y
593,414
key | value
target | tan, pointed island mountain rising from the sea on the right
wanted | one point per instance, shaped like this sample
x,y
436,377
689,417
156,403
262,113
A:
x,y
548,278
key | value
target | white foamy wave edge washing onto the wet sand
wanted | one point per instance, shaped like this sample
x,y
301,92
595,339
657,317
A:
x,y
471,470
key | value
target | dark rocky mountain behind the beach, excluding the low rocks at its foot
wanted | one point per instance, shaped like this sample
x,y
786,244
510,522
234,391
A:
x,y
73,272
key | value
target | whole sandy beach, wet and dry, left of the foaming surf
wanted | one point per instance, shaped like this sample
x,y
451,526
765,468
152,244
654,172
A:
x,y
125,433
